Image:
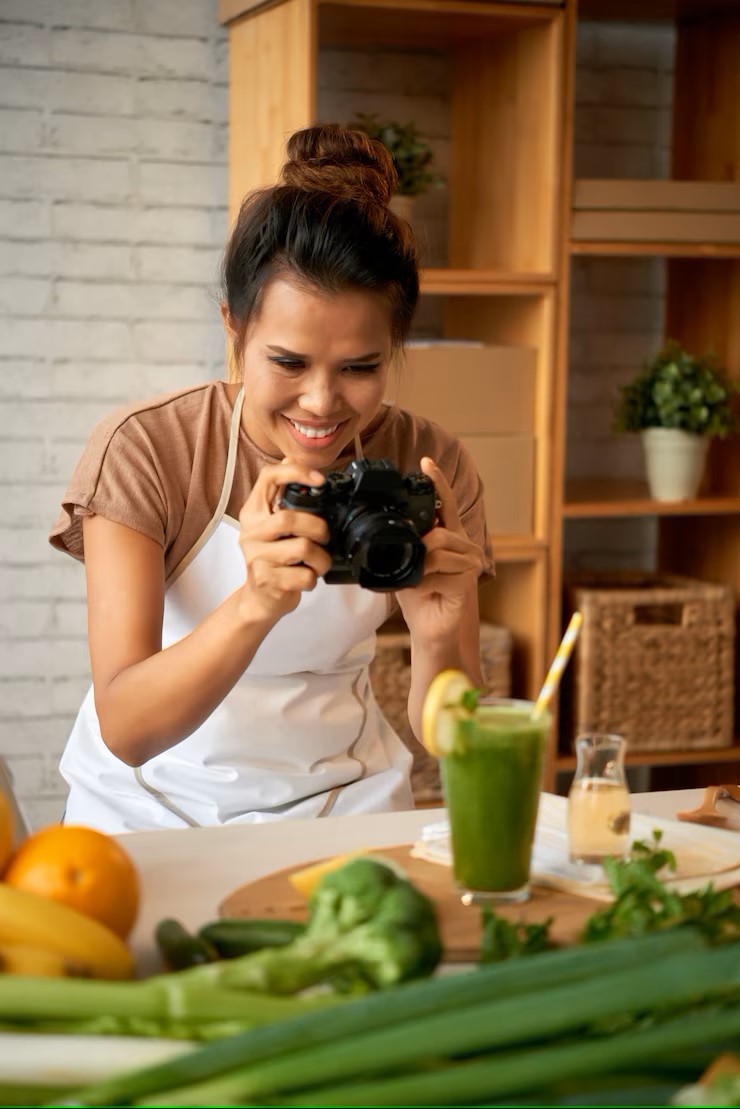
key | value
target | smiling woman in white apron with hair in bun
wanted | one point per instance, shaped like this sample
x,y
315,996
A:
x,y
230,680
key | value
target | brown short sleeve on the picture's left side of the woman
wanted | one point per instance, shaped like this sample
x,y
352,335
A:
x,y
120,477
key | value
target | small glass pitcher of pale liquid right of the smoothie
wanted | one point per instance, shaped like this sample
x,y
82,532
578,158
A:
x,y
599,801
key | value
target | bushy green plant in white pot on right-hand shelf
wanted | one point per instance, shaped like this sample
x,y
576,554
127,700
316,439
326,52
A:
x,y
678,403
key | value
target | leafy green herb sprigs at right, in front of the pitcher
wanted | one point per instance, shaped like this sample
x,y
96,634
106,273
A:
x,y
644,903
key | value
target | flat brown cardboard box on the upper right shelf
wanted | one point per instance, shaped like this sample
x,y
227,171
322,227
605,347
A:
x,y
656,211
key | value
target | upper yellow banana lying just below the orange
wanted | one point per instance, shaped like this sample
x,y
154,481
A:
x,y
34,921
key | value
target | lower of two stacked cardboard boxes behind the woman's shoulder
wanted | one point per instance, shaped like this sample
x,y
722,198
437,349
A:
x,y
506,465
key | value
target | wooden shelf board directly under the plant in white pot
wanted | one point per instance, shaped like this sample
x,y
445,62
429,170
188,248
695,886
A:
x,y
590,500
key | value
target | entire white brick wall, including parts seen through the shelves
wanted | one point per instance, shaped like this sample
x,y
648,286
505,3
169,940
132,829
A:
x,y
113,217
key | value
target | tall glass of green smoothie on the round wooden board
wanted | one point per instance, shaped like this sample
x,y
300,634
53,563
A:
x,y
492,786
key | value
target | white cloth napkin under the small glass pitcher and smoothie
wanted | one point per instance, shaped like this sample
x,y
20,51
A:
x,y
703,854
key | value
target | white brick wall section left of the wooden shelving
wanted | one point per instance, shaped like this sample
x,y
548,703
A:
x,y
113,215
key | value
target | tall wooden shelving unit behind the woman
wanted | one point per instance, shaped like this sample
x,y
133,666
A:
x,y
506,276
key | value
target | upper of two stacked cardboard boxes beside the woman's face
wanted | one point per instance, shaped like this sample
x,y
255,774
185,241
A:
x,y
469,390
